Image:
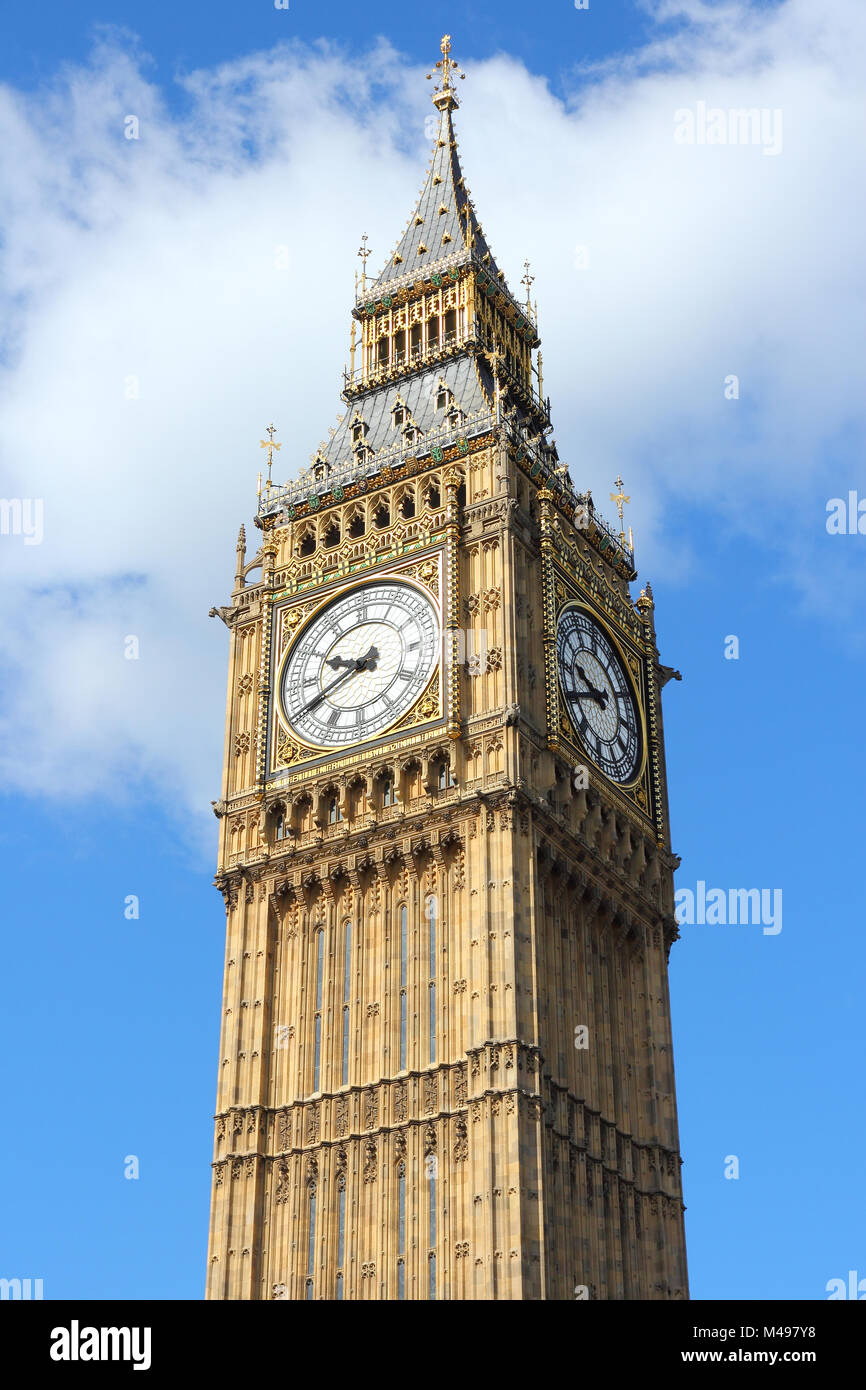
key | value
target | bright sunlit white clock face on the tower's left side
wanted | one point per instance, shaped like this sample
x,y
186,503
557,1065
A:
x,y
361,664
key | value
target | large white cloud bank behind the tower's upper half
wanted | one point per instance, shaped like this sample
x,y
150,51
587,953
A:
x,y
158,261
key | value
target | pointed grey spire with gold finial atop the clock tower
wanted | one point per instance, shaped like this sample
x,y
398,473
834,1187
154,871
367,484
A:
x,y
444,230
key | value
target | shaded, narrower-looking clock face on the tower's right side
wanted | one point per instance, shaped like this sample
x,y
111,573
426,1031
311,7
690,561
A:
x,y
598,696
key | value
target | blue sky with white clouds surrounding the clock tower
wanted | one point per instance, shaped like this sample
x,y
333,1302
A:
x,y
155,261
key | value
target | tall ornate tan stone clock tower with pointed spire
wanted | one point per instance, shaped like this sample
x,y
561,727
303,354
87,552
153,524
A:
x,y
446,1060
